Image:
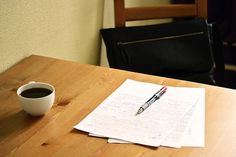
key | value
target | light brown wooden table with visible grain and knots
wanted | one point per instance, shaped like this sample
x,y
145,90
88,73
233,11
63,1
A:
x,y
79,89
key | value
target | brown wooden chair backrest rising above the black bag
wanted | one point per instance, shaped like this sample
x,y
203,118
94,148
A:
x,y
123,14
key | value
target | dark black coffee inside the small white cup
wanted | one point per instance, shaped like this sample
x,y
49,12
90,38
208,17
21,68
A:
x,y
35,92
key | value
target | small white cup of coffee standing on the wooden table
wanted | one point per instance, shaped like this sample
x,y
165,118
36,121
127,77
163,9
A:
x,y
38,105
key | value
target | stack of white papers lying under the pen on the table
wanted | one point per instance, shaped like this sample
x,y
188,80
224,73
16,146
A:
x,y
174,120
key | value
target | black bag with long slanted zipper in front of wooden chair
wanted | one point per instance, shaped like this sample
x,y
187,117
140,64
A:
x,y
179,50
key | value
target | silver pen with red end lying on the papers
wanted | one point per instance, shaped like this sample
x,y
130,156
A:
x,y
150,101
